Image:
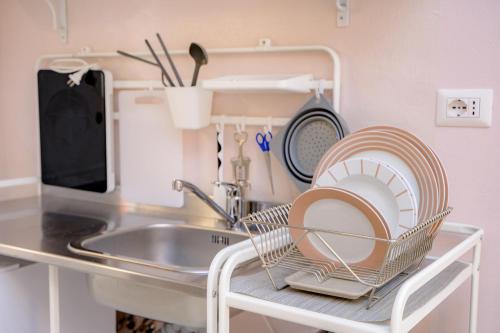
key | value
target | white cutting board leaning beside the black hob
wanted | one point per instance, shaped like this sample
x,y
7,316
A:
x,y
150,149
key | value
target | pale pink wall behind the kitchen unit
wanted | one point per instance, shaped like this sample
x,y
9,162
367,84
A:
x,y
395,55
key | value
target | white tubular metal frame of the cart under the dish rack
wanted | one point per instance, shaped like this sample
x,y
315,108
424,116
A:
x,y
242,252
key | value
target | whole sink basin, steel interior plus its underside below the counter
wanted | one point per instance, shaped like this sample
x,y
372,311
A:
x,y
172,247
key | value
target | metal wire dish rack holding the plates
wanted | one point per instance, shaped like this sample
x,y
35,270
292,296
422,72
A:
x,y
277,248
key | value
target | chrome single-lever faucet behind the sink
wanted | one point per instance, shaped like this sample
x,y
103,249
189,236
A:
x,y
234,202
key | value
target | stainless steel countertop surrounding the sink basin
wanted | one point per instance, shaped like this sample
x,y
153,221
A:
x,y
38,229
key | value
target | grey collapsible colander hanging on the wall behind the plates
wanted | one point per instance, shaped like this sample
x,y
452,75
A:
x,y
300,145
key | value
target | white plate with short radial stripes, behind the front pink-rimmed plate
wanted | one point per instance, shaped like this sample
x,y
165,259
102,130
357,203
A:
x,y
379,183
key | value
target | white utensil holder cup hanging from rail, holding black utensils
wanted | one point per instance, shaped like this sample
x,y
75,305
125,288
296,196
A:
x,y
190,107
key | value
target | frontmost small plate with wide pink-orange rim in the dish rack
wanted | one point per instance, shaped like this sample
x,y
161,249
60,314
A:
x,y
336,209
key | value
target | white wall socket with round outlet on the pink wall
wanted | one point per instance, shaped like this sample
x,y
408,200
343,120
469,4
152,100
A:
x,y
464,107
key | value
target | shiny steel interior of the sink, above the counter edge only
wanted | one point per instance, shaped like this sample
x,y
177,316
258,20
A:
x,y
179,248
